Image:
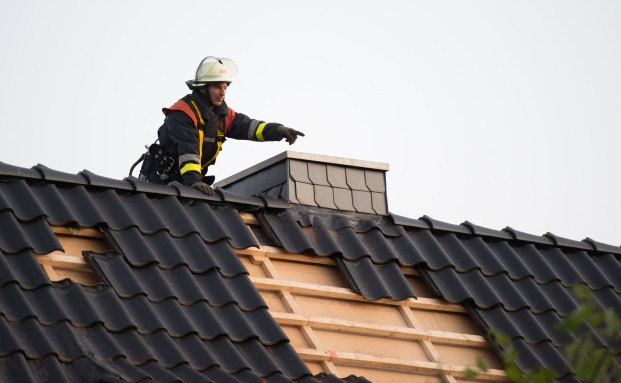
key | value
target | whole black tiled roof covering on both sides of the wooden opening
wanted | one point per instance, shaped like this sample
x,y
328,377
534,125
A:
x,y
515,282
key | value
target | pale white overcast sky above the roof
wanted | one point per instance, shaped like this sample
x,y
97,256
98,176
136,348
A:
x,y
503,113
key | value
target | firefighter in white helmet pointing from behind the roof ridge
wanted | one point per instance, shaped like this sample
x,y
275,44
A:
x,y
196,126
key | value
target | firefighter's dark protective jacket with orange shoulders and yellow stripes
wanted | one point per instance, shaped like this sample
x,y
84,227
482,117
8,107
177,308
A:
x,y
193,134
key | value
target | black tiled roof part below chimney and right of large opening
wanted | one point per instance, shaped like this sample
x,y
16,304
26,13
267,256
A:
x,y
513,282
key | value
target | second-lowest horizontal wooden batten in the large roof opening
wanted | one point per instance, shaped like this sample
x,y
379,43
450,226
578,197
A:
x,y
380,330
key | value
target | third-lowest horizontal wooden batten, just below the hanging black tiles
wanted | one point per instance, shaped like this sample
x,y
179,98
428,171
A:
x,y
344,293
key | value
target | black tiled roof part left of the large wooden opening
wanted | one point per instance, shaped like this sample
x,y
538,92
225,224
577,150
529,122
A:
x,y
176,305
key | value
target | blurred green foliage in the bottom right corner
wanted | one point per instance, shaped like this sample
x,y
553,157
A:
x,y
591,363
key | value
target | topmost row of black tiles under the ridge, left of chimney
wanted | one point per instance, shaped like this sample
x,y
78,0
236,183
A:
x,y
78,206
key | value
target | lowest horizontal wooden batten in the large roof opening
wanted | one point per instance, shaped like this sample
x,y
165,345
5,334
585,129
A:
x,y
370,361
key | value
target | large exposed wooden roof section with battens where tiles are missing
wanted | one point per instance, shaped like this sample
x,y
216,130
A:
x,y
337,331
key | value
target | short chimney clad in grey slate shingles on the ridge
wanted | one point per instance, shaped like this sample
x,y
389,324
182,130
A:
x,y
316,180
